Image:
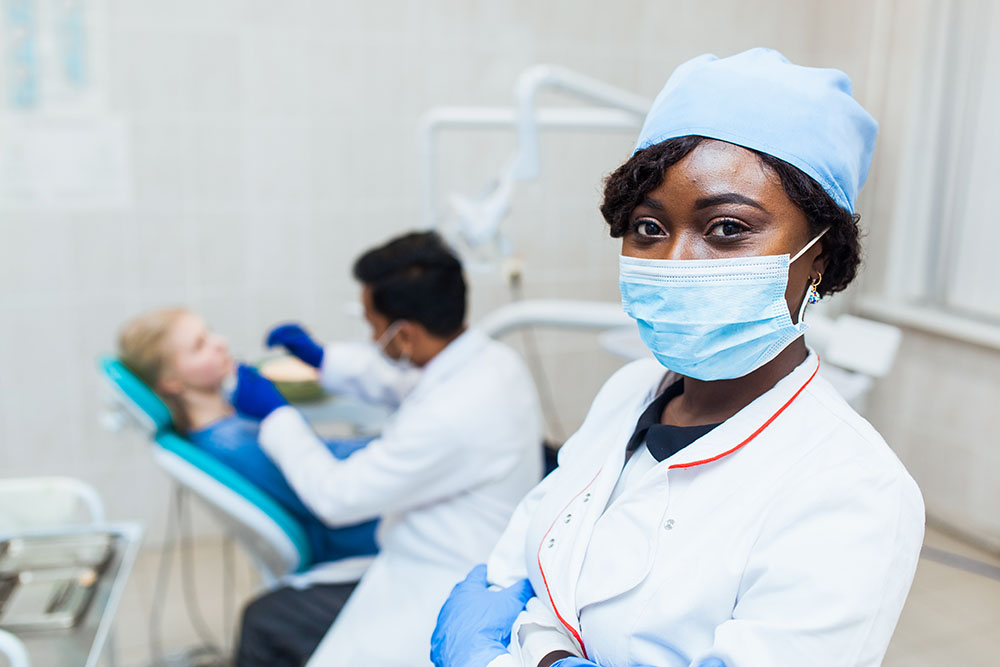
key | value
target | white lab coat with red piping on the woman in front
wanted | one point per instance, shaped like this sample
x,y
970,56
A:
x,y
797,548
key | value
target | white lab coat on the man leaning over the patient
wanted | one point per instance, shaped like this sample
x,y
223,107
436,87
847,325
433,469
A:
x,y
445,475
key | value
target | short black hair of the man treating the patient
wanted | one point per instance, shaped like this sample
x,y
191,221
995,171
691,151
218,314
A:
x,y
416,277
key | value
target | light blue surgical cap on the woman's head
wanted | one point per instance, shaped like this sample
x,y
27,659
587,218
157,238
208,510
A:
x,y
757,99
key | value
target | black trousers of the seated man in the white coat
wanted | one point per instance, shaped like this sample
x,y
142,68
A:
x,y
283,627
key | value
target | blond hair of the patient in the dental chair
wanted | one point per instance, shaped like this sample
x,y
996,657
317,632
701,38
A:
x,y
142,348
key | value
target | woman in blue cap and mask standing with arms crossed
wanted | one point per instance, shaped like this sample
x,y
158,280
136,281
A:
x,y
732,509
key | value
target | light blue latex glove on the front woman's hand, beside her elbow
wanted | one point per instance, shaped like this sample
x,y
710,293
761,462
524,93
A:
x,y
474,624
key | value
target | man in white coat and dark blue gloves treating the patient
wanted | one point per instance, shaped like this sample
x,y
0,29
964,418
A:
x,y
461,449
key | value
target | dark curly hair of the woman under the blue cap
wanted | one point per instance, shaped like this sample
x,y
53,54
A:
x,y
629,185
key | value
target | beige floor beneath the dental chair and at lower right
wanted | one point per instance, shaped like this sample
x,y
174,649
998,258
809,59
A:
x,y
952,616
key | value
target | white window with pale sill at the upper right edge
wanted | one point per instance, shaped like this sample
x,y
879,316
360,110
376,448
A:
x,y
944,263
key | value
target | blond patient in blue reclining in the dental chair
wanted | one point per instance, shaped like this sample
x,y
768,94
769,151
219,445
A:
x,y
186,364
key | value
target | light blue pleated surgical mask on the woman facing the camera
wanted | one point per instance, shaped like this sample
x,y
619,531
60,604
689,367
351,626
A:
x,y
712,319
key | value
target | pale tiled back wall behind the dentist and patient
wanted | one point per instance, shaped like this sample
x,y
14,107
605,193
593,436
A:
x,y
271,141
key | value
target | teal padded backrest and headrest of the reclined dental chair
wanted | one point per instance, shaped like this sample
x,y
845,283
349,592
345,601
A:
x,y
271,536
